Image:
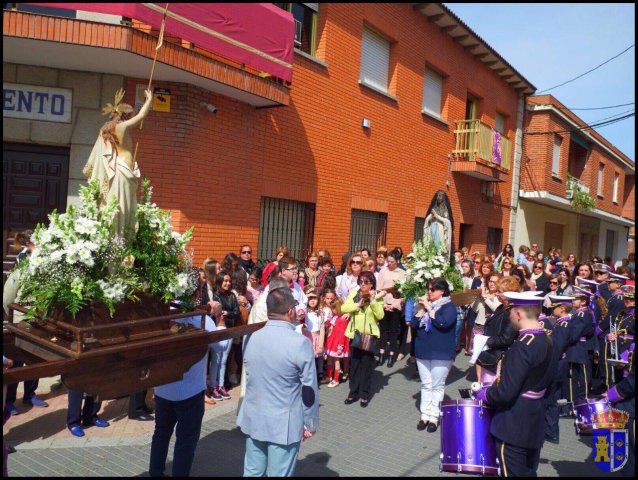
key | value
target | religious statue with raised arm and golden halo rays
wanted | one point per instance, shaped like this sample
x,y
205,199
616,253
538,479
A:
x,y
113,165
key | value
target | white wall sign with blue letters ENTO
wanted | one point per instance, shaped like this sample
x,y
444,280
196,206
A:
x,y
33,102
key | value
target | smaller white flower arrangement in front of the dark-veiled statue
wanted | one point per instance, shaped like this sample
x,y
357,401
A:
x,y
425,263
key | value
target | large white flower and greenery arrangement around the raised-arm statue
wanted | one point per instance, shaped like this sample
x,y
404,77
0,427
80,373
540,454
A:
x,y
77,258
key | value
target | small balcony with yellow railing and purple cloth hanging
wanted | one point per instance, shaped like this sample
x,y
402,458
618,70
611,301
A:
x,y
480,151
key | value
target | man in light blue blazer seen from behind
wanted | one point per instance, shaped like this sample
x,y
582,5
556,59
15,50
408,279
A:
x,y
281,406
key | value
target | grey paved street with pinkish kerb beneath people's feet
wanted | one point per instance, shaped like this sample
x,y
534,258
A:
x,y
381,440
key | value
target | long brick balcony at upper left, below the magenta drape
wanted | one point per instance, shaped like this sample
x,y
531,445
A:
x,y
76,44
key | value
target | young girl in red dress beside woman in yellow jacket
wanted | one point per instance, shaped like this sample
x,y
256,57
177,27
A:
x,y
337,346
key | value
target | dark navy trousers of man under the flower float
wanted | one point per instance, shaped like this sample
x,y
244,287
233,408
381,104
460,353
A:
x,y
187,415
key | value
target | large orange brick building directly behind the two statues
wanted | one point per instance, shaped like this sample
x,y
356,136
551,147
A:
x,y
388,104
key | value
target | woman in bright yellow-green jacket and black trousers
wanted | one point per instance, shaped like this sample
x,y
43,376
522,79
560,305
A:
x,y
365,307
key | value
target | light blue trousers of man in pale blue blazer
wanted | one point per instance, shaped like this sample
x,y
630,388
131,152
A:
x,y
270,458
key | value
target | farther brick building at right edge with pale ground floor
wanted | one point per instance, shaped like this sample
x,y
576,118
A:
x,y
561,156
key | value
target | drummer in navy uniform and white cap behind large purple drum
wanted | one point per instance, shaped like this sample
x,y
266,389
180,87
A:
x,y
526,372
